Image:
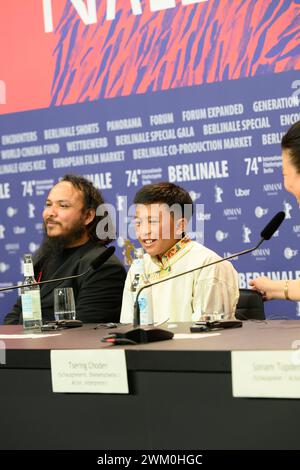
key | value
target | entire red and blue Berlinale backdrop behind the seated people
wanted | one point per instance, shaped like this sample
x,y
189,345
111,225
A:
x,y
197,93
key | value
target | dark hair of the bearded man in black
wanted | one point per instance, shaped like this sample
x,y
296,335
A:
x,y
92,198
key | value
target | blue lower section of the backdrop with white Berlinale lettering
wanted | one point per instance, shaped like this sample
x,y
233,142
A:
x,y
220,141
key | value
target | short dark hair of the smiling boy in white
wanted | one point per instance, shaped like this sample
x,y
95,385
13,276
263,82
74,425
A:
x,y
165,193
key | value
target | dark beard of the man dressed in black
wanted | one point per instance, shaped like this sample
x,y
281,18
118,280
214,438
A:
x,y
54,246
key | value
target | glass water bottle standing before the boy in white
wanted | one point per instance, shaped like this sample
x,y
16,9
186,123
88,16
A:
x,y
140,280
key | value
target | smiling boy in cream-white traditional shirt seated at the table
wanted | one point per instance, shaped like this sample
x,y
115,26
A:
x,y
160,223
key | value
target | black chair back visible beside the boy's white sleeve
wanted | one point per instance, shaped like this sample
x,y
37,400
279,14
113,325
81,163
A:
x,y
250,305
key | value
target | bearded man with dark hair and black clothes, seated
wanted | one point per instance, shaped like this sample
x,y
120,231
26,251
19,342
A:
x,y
70,245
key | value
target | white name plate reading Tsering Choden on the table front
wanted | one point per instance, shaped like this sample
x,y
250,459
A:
x,y
89,371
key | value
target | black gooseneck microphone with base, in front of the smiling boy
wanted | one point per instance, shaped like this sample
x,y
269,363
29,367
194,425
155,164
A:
x,y
140,335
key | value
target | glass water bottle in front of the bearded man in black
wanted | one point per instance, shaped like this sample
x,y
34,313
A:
x,y
30,297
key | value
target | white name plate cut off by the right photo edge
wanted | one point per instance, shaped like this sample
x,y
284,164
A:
x,y
266,374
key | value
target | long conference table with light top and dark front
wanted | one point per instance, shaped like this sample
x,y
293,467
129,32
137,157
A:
x,y
180,394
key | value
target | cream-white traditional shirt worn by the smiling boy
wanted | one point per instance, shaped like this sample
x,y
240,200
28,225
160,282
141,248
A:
x,y
206,291
